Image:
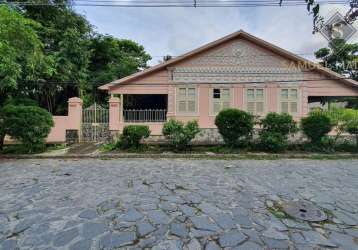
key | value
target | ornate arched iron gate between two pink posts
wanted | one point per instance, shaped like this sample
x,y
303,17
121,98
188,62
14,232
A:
x,y
95,124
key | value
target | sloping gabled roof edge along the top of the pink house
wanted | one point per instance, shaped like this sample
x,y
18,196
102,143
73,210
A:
x,y
234,35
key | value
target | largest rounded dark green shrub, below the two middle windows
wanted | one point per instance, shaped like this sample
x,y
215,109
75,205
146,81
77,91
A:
x,y
235,126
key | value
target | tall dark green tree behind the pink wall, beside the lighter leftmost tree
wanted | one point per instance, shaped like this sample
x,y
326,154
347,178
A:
x,y
65,35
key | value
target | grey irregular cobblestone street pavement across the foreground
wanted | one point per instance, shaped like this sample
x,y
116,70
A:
x,y
175,204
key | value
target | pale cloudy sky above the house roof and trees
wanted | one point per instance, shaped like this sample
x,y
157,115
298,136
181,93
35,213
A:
x,y
174,31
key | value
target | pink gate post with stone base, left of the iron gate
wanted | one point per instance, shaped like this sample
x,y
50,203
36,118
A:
x,y
74,119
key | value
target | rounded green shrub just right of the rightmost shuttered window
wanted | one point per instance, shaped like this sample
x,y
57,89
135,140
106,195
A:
x,y
315,126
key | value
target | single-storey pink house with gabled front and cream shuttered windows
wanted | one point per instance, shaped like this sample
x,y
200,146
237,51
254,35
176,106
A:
x,y
239,71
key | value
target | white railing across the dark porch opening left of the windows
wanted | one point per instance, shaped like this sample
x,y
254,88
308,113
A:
x,y
145,115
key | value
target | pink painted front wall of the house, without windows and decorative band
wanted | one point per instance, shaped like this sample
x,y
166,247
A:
x,y
160,82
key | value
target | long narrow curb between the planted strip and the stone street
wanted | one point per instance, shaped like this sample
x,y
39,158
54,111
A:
x,y
188,156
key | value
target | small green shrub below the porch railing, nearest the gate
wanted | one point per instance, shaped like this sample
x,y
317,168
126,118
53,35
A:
x,y
132,135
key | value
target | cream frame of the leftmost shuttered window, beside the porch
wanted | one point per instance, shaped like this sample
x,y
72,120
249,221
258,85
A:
x,y
186,99
